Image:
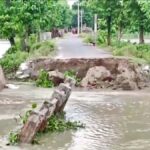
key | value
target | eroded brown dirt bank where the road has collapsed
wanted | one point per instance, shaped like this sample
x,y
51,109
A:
x,y
117,73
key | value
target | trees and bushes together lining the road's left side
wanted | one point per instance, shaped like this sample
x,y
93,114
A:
x,y
22,22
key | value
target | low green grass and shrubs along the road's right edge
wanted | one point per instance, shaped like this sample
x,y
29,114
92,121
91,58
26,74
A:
x,y
139,53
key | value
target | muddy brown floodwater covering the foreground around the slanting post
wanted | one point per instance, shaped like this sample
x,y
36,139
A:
x,y
114,120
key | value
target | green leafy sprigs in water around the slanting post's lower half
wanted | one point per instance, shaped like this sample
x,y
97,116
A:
x,y
56,123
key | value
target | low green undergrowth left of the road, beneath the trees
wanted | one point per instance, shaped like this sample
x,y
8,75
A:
x,y
14,57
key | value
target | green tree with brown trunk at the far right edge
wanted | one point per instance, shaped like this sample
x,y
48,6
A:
x,y
138,10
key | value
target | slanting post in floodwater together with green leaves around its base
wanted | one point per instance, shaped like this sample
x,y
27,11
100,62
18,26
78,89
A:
x,y
48,118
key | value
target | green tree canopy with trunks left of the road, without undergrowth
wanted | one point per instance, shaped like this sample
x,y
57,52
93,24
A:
x,y
23,19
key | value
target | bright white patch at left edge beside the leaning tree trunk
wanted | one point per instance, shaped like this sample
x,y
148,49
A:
x,y
4,46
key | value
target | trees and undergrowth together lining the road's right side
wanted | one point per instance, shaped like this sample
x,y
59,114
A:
x,y
115,19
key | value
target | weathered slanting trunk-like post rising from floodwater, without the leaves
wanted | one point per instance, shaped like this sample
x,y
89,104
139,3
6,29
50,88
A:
x,y
38,120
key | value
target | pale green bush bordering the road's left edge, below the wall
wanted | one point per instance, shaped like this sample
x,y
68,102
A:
x,y
42,49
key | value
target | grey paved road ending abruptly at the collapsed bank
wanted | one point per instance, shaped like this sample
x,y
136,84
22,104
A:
x,y
72,47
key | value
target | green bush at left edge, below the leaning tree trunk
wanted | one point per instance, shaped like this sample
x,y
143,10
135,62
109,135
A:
x,y
11,61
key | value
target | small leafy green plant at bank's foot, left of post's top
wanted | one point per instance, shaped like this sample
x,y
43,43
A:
x,y
43,80
